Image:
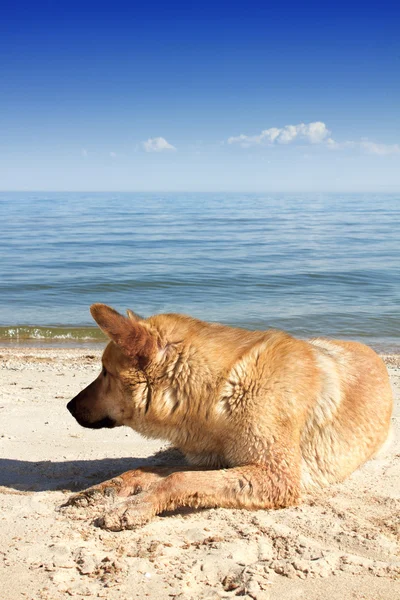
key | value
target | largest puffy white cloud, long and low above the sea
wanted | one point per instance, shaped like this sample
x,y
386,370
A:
x,y
312,133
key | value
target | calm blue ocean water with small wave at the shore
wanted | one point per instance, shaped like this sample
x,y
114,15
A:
x,y
312,264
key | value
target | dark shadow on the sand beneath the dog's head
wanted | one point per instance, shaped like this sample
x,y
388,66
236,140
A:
x,y
75,475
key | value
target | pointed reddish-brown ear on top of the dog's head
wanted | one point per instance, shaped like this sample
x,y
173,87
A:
x,y
134,338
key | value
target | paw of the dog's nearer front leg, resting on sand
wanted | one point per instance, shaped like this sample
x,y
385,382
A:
x,y
128,515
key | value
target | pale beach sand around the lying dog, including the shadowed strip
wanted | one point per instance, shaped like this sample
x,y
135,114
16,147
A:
x,y
344,543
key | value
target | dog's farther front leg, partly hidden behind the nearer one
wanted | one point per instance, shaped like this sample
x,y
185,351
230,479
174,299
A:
x,y
124,485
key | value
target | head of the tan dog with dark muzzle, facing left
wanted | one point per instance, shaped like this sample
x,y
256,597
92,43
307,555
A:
x,y
121,393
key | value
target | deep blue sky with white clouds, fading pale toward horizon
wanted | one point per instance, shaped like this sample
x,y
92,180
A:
x,y
190,96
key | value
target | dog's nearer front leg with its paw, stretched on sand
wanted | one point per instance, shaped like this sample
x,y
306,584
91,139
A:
x,y
250,487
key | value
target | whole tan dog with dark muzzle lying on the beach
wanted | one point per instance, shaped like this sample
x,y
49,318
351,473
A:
x,y
273,416
